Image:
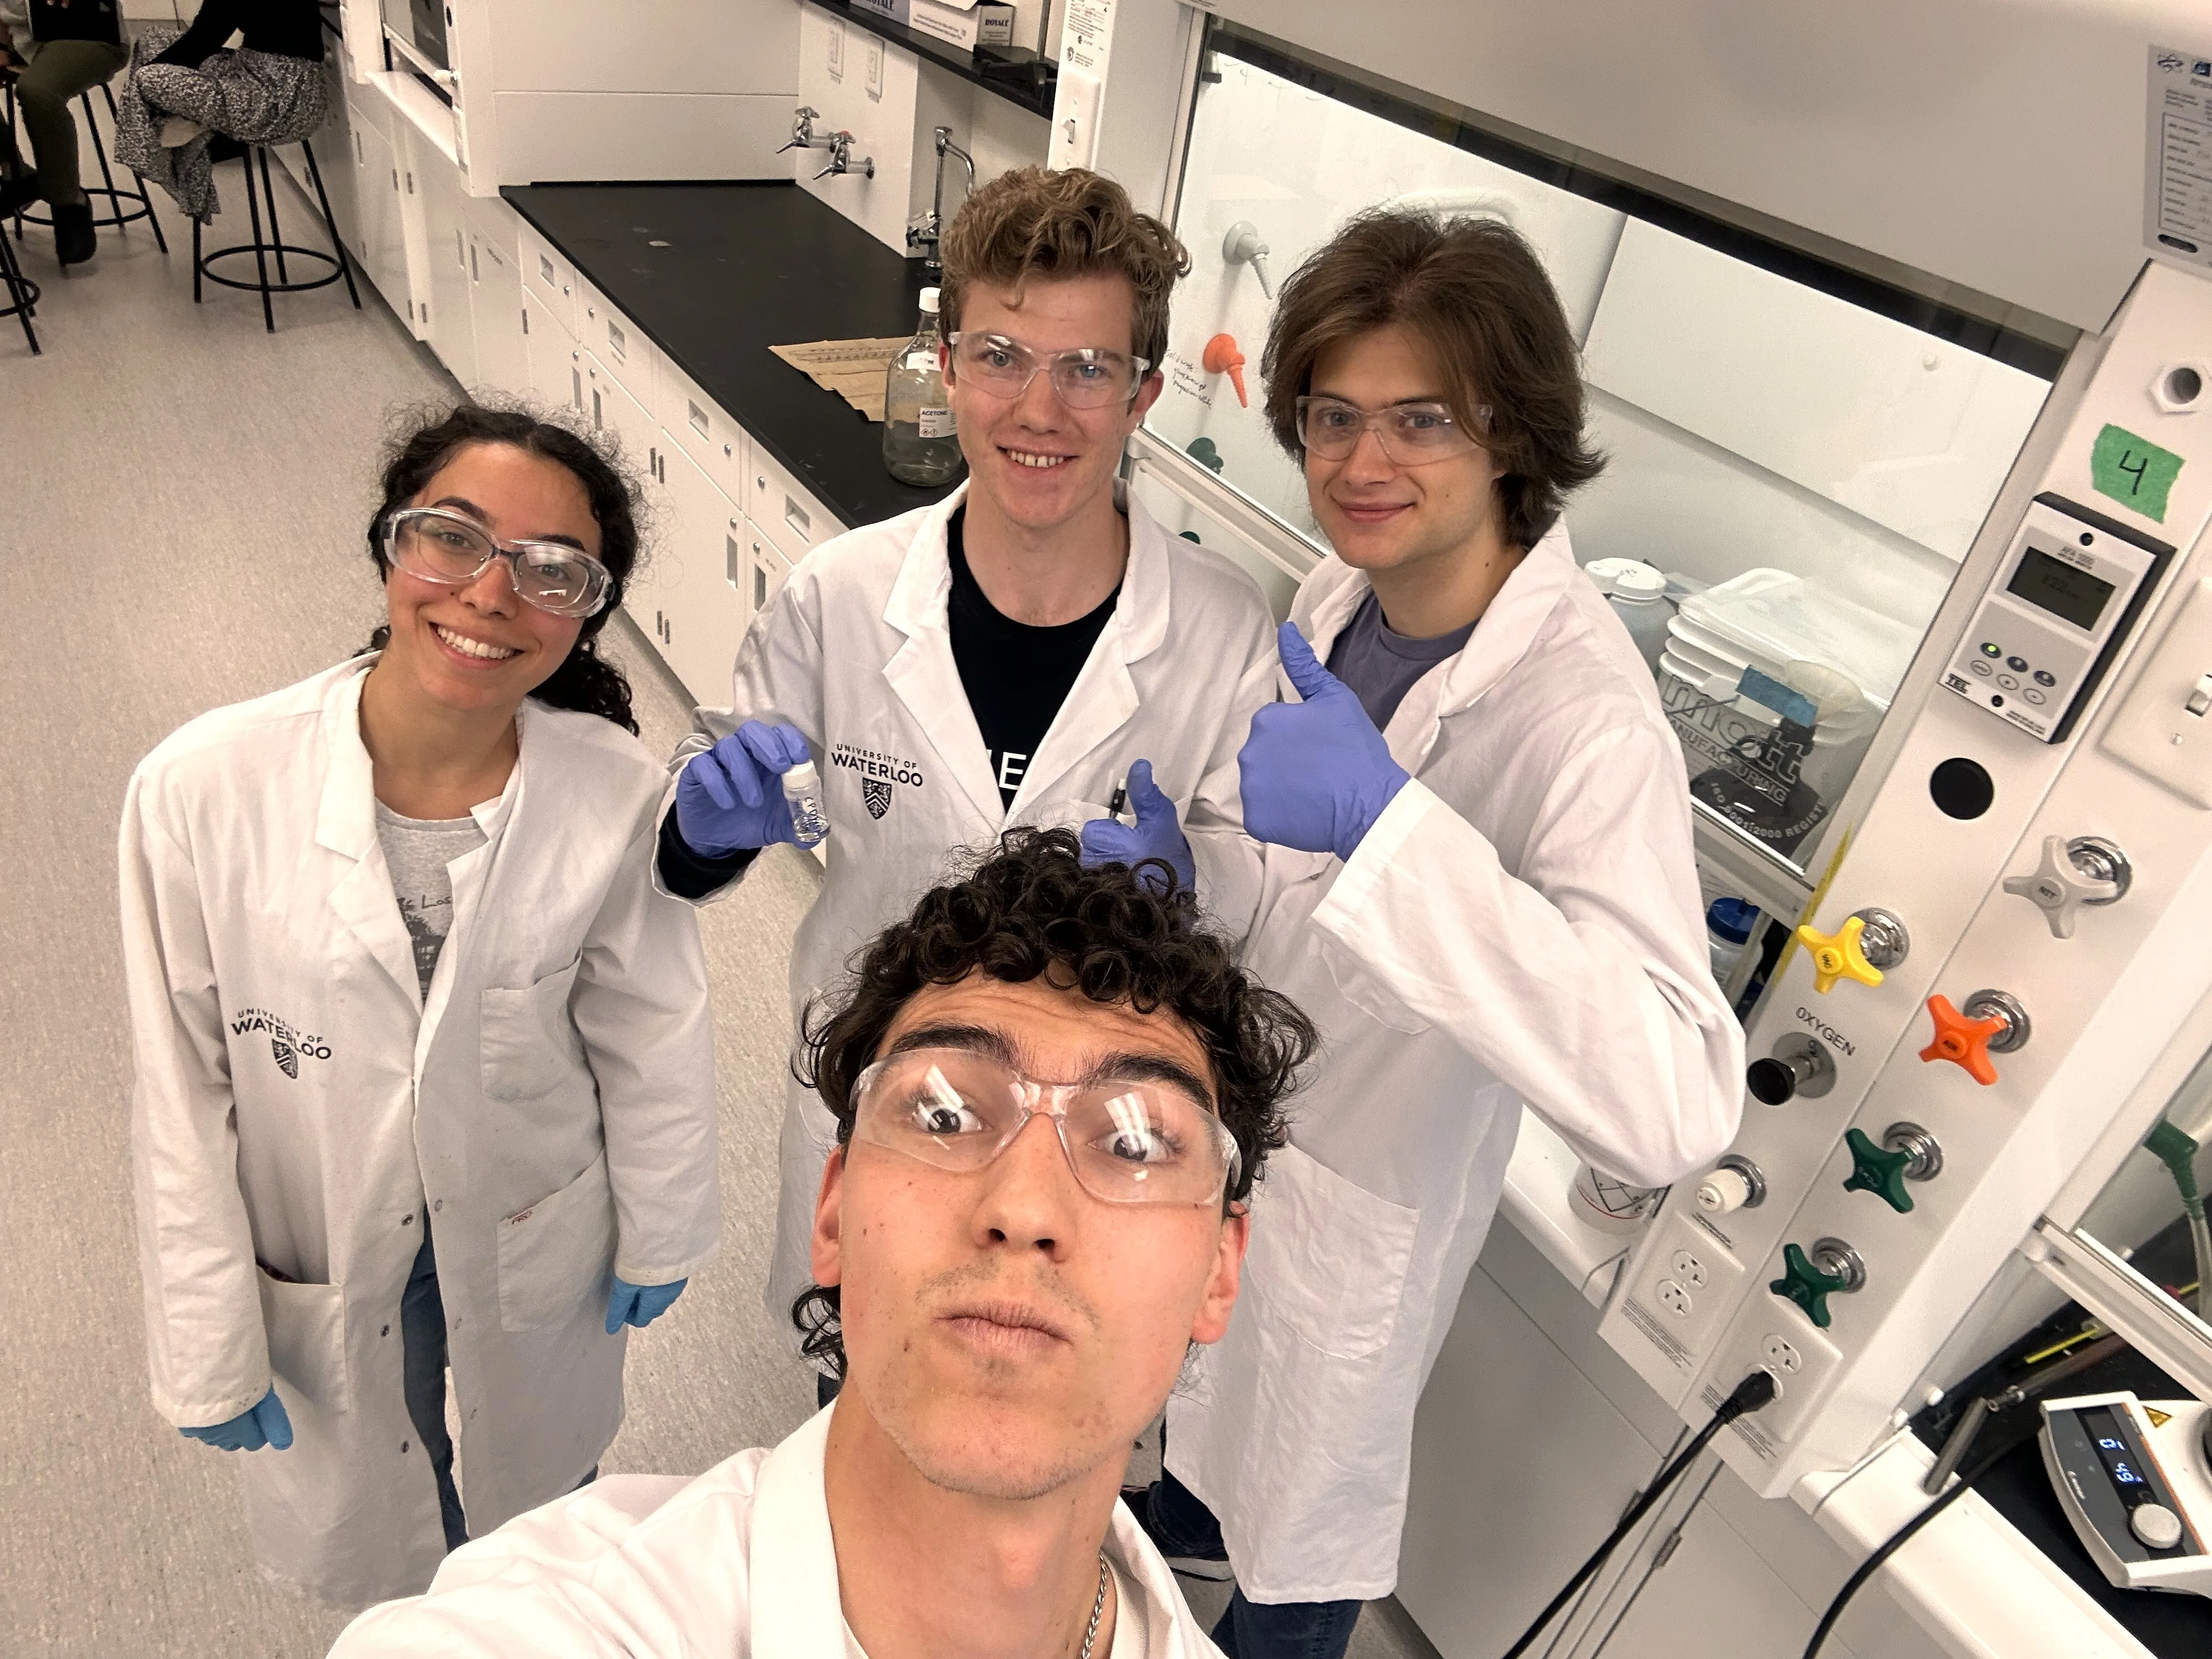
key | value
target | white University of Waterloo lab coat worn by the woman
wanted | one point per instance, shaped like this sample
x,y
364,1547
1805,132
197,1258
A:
x,y
300,1105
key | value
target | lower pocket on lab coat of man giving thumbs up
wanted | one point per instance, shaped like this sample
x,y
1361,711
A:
x,y
1328,1258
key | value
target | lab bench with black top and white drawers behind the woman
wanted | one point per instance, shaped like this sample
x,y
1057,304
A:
x,y
651,309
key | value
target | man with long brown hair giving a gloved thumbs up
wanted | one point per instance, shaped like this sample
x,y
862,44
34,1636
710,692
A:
x,y
1481,886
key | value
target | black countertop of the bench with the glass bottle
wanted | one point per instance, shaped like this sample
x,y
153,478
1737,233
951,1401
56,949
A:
x,y
749,267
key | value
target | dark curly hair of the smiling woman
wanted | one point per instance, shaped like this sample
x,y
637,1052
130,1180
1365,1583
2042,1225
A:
x,y
428,439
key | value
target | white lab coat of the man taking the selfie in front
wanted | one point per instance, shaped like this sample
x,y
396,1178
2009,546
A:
x,y
733,1565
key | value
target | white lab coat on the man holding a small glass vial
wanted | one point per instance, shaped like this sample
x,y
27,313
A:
x,y
855,654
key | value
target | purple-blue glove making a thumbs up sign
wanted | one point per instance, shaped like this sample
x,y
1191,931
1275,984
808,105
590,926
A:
x,y
1315,775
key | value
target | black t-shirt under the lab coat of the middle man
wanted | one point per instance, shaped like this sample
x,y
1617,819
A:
x,y
1016,676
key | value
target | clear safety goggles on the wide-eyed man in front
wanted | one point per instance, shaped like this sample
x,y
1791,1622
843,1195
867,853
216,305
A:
x,y
1127,1140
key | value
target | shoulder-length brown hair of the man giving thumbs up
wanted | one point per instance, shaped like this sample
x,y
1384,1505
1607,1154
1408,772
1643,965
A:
x,y
1479,298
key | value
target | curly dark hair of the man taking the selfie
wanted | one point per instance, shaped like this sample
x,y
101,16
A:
x,y
1118,935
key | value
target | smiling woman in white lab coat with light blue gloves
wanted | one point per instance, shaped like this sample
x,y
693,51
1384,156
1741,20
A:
x,y
424,1063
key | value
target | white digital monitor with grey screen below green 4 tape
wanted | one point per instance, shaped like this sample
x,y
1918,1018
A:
x,y
2060,609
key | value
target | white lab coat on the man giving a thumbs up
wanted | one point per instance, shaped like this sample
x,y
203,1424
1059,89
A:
x,y
1519,926
